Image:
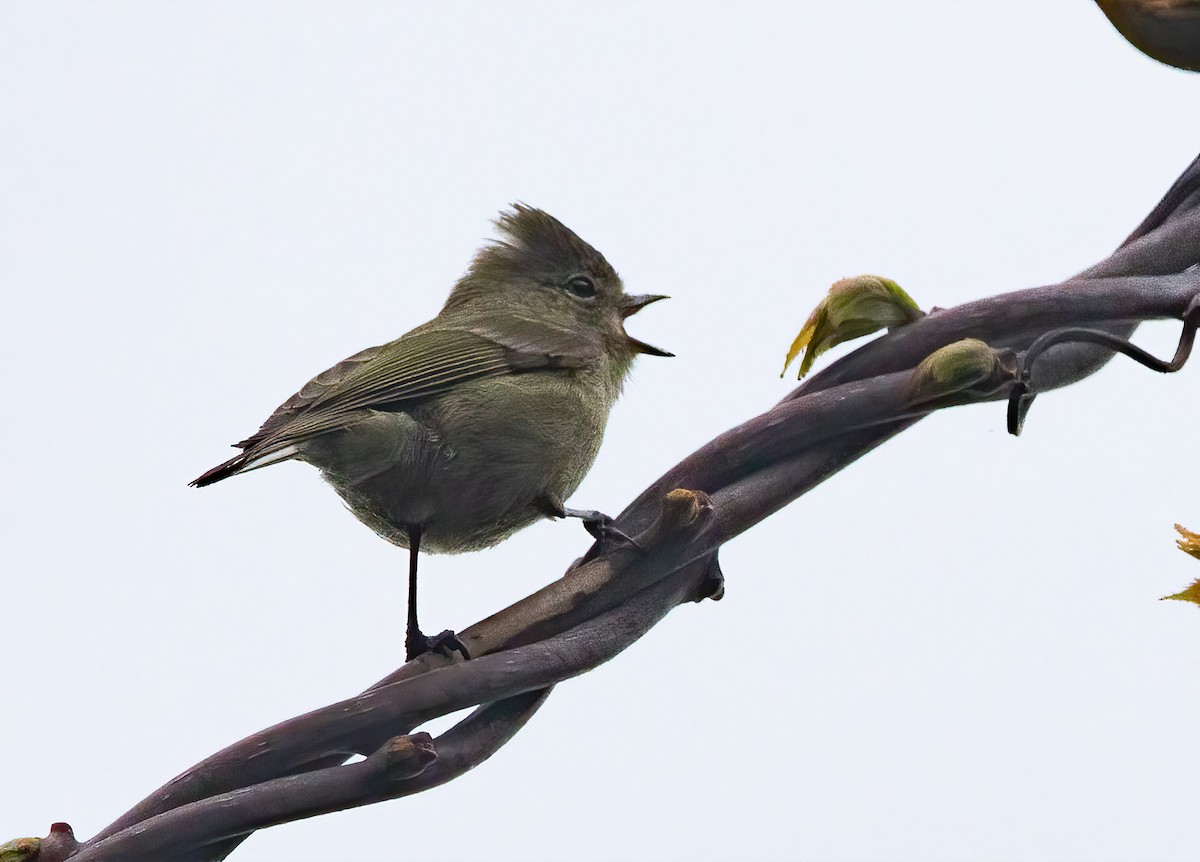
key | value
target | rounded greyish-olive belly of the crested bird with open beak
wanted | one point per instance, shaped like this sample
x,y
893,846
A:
x,y
471,470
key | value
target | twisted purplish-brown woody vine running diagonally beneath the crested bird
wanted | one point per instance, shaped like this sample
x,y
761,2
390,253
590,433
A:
x,y
611,597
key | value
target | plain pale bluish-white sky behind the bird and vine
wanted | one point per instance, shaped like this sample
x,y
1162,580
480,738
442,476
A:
x,y
952,650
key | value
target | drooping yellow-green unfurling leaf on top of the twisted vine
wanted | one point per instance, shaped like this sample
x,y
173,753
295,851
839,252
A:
x,y
853,309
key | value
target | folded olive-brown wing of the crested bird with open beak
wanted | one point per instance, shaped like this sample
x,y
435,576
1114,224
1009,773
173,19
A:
x,y
416,367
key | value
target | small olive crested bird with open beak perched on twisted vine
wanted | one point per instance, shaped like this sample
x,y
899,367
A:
x,y
481,422
